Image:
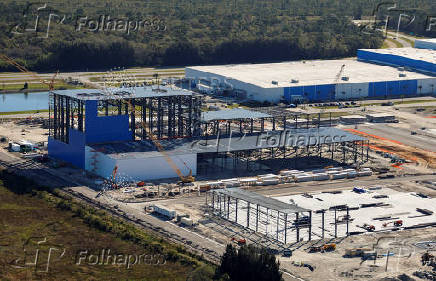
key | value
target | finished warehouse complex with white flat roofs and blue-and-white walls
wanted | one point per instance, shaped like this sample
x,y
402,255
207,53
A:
x,y
375,74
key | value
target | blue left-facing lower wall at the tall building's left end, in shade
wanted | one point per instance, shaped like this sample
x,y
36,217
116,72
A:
x,y
72,152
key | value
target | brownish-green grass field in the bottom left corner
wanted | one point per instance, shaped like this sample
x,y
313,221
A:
x,y
33,220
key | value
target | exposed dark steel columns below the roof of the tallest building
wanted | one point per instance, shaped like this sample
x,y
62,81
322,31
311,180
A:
x,y
168,117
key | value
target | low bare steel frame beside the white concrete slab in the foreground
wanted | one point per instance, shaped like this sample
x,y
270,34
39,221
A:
x,y
277,219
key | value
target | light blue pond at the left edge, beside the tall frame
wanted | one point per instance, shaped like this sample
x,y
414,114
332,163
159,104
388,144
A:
x,y
23,101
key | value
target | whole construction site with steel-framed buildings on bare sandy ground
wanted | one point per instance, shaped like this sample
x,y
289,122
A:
x,y
337,191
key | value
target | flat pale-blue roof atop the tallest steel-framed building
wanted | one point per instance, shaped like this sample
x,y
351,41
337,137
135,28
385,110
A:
x,y
123,93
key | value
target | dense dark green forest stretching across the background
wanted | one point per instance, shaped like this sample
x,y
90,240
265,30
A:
x,y
92,35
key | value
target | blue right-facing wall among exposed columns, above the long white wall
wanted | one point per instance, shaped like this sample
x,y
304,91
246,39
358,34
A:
x,y
105,128
